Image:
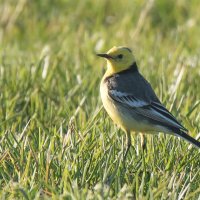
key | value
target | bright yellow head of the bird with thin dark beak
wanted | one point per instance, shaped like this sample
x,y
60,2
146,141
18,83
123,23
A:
x,y
118,59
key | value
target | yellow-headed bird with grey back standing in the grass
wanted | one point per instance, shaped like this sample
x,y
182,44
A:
x,y
131,102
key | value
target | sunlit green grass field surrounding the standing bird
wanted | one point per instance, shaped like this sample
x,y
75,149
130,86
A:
x,y
56,141
